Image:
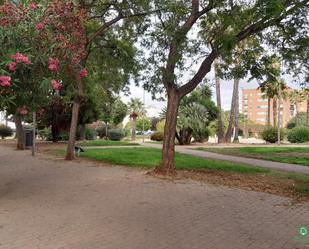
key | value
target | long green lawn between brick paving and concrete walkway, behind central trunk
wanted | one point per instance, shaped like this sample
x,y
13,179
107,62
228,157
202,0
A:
x,y
150,157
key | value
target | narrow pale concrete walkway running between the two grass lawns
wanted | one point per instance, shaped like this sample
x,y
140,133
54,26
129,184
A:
x,y
189,150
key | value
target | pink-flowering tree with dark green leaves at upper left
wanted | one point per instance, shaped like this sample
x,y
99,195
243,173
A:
x,y
44,49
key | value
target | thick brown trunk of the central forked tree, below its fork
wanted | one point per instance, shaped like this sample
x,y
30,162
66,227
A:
x,y
167,166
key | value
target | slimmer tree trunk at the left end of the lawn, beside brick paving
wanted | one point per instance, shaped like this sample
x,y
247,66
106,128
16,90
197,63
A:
x,y
72,136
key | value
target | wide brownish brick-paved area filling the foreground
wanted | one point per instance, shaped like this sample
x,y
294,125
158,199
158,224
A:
x,y
55,204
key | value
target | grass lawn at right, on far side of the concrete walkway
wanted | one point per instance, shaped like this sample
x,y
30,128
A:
x,y
294,155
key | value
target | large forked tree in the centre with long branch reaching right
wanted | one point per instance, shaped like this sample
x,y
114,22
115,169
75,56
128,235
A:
x,y
172,40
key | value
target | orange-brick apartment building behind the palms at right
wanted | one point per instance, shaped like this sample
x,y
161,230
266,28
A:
x,y
255,107
